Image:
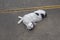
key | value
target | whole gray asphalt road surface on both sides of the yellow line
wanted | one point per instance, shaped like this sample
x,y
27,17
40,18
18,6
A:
x,y
48,29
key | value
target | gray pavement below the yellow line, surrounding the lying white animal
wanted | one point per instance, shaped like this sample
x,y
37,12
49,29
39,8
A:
x,y
48,29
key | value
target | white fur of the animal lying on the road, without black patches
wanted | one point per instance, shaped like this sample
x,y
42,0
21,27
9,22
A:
x,y
31,18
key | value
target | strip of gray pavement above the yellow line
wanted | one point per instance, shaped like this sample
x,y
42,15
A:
x,y
11,4
